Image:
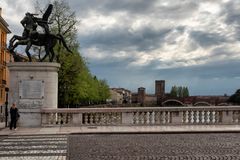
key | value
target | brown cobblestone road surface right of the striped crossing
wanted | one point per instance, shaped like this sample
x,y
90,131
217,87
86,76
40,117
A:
x,y
202,146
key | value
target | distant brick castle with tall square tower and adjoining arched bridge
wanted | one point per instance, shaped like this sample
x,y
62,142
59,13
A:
x,y
160,98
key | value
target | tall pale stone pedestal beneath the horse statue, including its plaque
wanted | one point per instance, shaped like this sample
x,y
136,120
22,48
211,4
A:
x,y
33,86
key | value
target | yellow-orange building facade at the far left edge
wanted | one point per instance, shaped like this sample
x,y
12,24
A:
x,y
5,57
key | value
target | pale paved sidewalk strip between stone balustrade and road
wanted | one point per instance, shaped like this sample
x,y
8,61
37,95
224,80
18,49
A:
x,y
120,129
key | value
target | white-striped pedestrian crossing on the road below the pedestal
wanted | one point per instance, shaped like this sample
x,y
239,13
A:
x,y
34,147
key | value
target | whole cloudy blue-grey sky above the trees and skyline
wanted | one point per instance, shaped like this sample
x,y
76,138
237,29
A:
x,y
132,43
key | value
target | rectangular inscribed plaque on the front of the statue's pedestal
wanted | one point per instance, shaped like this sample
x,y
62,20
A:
x,y
31,89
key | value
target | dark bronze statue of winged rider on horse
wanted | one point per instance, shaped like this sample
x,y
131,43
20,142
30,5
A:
x,y
31,36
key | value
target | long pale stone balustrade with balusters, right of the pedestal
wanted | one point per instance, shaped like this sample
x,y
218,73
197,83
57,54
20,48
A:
x,y
206,115
